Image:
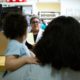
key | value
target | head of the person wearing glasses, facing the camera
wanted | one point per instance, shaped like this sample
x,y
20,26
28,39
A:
x,y
35,23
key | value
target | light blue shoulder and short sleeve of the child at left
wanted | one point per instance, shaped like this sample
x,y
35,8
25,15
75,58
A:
x,y
13,48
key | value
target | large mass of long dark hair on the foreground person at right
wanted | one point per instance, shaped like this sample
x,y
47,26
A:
x,y
60,44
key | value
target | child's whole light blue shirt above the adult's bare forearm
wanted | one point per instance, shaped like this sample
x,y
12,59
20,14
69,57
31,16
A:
x,y
16,48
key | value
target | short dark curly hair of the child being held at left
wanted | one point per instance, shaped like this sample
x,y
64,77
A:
x,y
14,25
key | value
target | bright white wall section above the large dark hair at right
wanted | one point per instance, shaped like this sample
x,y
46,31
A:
x,y
70,8
